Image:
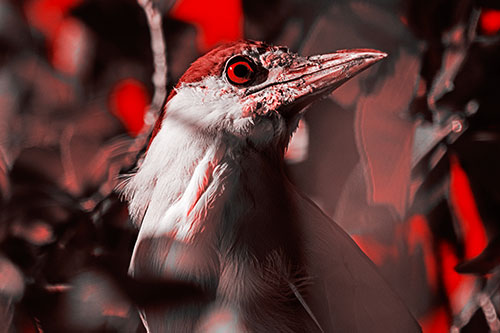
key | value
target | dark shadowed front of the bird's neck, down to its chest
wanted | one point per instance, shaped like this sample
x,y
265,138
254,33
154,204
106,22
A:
x,y
259,247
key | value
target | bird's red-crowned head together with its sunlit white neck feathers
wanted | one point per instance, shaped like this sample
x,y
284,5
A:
x,y
239,96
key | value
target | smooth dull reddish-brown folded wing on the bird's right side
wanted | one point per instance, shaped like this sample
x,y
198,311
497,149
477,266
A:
x,y
347,293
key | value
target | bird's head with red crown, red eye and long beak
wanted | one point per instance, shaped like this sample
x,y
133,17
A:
x,y
256,92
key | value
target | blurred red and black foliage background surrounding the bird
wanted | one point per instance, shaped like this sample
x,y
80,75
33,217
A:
x,y
405,157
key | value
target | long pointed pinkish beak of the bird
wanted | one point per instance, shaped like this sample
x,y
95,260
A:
x,y
307,78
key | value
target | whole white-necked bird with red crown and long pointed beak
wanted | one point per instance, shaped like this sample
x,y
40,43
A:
x,y
215,207
